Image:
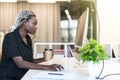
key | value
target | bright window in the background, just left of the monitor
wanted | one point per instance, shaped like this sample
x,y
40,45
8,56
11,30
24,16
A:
x,y
68,30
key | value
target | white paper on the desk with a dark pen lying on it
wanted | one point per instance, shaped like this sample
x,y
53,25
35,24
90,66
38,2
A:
x,y
50,75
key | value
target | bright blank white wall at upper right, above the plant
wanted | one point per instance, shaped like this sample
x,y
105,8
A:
x,y
109,15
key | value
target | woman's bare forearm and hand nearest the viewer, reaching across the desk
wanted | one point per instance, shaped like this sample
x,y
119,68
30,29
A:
x,y
28,65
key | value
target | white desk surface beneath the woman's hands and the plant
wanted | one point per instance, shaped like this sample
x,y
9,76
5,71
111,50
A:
x,y
80,71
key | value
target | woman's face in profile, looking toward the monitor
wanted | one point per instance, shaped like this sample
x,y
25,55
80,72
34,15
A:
x,y
31,25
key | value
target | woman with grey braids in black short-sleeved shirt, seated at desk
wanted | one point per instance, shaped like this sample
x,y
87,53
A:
x,y
17,54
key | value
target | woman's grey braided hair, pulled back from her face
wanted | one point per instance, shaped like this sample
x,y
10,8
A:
x,y
22,16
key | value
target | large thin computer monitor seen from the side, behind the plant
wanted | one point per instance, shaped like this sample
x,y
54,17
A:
x,y
82,30
